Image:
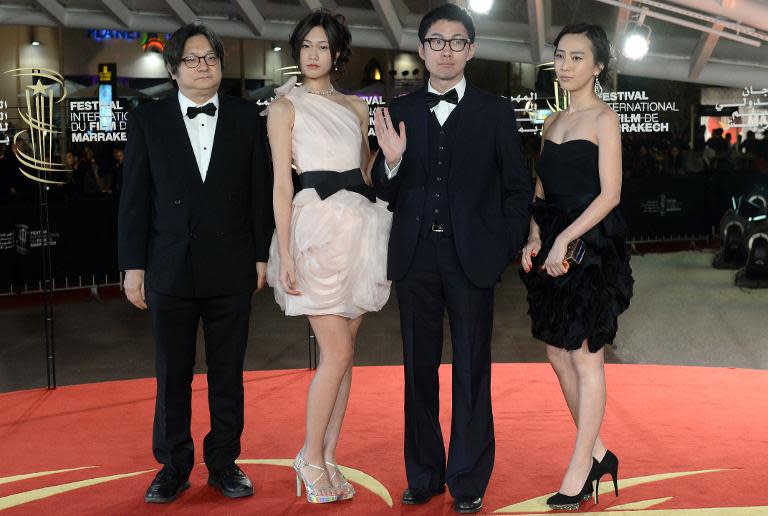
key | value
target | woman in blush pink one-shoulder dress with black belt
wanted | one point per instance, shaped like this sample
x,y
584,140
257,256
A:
x,y
328,257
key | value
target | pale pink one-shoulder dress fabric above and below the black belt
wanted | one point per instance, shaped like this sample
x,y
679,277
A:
x,y
338,244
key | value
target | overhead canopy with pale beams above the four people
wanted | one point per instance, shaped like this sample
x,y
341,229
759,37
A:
x,y
514,30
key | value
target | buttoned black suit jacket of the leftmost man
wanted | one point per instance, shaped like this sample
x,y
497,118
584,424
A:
x,y
195,239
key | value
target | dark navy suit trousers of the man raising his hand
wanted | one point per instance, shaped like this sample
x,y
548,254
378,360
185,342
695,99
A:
x,y
435,282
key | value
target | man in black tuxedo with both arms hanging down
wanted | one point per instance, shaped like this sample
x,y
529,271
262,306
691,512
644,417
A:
x,y
195,225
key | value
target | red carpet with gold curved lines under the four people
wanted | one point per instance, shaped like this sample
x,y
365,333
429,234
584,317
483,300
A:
x,y
691,441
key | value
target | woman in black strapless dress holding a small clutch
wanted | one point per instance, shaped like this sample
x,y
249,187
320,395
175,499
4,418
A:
x,y
574,307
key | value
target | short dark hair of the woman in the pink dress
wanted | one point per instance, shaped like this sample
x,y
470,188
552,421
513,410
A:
x,y
336,30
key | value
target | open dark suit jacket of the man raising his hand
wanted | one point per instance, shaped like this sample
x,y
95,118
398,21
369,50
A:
x,y
489,191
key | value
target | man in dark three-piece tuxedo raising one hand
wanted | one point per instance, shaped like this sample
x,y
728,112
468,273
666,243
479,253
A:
x,y
460,196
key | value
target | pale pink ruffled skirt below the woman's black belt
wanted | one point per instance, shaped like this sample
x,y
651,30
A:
x,y
339,247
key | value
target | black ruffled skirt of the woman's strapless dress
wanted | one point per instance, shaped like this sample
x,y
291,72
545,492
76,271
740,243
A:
x,y
584,303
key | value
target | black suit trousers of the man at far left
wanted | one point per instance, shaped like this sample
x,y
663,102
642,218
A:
x,y
174,324
